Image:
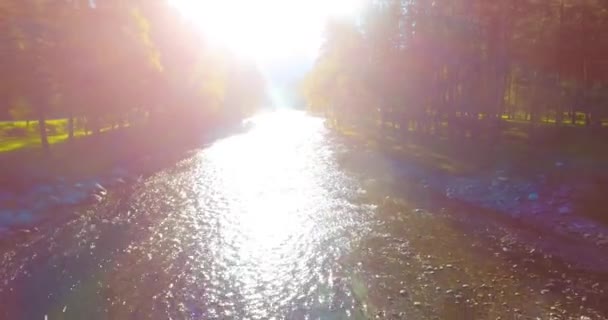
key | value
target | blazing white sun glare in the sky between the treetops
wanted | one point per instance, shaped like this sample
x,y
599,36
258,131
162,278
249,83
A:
x,y
266,30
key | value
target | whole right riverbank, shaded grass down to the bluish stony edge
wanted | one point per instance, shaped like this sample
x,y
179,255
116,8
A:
x,y
554,192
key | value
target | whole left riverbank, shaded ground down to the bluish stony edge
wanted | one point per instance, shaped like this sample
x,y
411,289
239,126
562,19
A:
x,y
35,187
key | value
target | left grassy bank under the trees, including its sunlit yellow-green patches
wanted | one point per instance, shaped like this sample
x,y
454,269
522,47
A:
x,y
88,156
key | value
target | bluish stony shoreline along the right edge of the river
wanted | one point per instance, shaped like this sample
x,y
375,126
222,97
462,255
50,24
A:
x,y
537,205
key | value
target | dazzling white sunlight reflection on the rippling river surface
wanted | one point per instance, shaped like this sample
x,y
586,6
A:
x,y
272,219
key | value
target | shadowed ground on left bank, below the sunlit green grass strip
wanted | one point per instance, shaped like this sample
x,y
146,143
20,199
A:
x,y
138,149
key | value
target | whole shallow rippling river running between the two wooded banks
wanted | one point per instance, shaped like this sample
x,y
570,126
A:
x,y
286,221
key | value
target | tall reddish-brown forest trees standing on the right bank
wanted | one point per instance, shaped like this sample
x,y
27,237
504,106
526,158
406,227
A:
x,y
468,68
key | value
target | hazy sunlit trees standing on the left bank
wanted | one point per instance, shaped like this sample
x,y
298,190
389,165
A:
x,y
116,61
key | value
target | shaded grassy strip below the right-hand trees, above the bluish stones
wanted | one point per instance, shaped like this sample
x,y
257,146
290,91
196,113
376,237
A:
x,y
517,146
